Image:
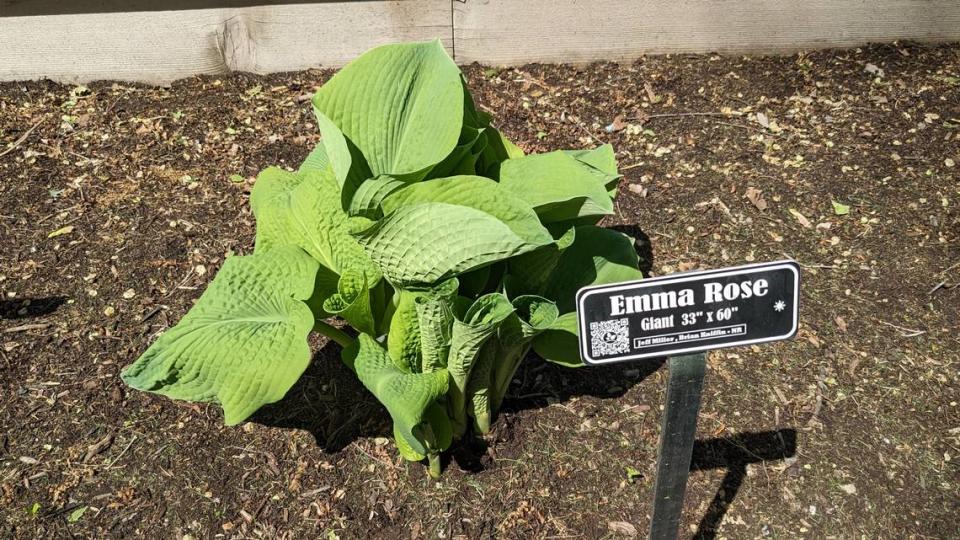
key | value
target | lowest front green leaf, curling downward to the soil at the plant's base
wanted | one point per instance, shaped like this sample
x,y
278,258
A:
x,y
407,396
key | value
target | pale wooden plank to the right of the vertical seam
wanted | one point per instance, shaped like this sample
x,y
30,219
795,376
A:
x,y
512,32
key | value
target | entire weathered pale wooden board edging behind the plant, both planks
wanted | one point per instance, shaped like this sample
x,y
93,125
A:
x,y
158,41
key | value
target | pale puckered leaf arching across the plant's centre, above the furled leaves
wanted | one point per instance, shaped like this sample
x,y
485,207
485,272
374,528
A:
x,y
421,244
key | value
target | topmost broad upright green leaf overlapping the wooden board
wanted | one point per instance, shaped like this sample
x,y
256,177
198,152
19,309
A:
x,y
400,106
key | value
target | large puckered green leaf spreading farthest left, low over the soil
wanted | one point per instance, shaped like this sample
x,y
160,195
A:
x,y
244,343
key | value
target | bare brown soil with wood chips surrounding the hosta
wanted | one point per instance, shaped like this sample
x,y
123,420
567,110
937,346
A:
x,y
118,203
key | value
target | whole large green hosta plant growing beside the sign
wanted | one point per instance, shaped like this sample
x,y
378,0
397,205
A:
x,y
449,252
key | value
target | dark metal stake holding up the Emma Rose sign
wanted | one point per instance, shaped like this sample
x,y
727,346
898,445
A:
x,y
684,385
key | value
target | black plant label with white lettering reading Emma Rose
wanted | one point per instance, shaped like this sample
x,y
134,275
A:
x,y
689,312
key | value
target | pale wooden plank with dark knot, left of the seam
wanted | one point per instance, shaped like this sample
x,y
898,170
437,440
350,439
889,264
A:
x,y
161,46
